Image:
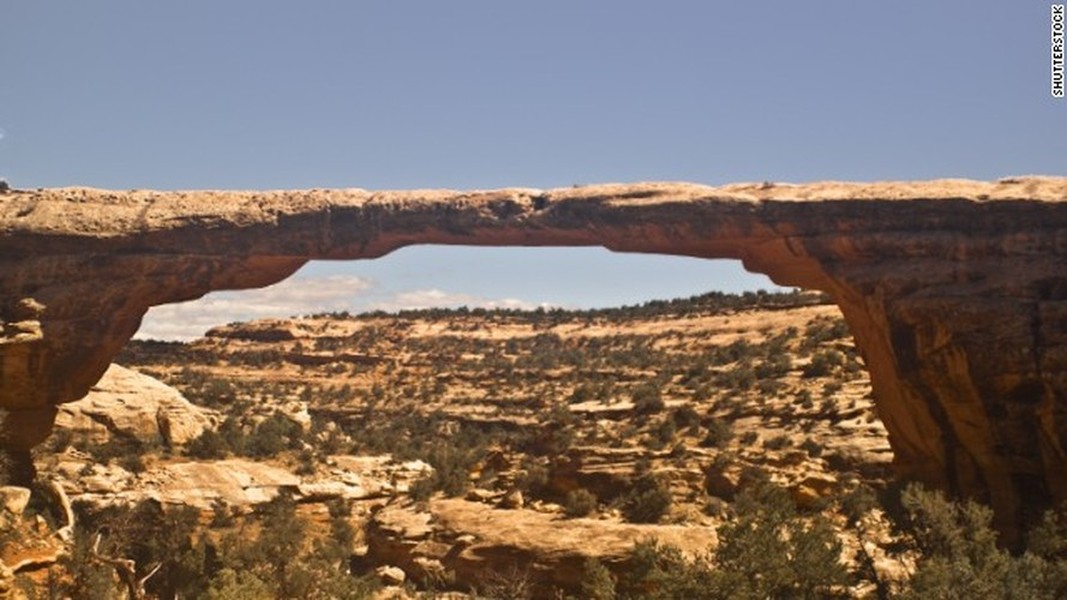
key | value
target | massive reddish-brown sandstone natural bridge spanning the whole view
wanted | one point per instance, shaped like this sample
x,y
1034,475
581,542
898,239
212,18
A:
x,y
955,291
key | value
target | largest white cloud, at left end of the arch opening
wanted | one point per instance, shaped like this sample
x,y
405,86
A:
x,y
295,296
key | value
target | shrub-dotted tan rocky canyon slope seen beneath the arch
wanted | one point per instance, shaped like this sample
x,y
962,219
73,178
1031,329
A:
x,y
473,447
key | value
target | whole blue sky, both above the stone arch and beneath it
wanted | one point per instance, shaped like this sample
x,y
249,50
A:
x,y
477,94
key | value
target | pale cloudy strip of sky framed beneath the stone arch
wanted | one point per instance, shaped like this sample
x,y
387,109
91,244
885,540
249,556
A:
x,y
442,277
